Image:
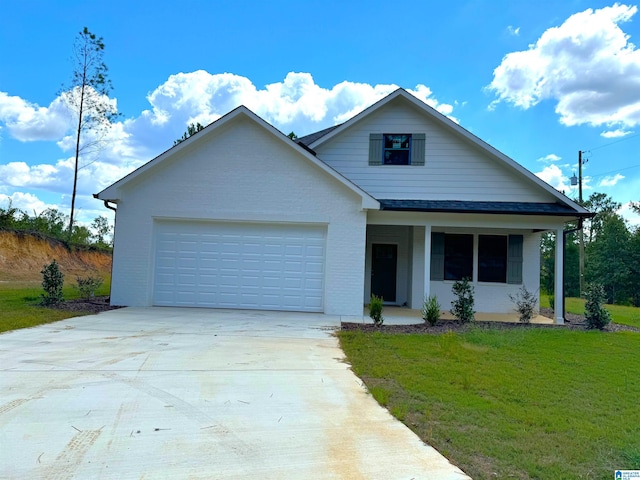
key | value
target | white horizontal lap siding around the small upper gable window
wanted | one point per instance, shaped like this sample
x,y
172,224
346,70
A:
x,y
454,169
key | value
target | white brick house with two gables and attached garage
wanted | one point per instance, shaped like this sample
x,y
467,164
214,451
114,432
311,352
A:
x,y
240,216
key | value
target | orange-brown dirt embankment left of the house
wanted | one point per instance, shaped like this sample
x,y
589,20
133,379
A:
x,y
22,256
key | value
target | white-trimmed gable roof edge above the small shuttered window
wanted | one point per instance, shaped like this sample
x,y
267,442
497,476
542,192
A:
x,y
317,139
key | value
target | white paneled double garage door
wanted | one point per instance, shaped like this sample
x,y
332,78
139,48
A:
x,y
227,265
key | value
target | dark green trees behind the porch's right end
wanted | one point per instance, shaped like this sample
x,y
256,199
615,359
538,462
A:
x,y
612,254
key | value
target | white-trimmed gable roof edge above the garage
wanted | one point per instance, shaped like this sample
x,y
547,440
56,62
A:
x,y
112,192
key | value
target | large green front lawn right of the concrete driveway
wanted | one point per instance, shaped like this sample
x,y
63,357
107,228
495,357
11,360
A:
x,y
524,403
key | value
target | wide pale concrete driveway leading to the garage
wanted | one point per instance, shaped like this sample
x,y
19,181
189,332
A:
x,y
195,393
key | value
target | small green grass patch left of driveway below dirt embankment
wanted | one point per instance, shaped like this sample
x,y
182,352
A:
x,y
19,305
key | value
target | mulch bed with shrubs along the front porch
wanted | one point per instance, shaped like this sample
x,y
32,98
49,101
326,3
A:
x,y
572,322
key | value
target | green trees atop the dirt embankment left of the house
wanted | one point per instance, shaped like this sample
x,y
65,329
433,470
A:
x,y
53,223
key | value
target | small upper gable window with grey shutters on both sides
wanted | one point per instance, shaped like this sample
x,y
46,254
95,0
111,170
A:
x,y
396,149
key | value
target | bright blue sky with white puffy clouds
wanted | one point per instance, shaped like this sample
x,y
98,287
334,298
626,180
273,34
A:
x,y
538,80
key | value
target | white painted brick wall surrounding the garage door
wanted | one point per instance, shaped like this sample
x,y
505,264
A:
x,y
241,173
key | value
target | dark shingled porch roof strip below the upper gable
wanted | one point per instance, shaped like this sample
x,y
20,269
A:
x,y
457,206
